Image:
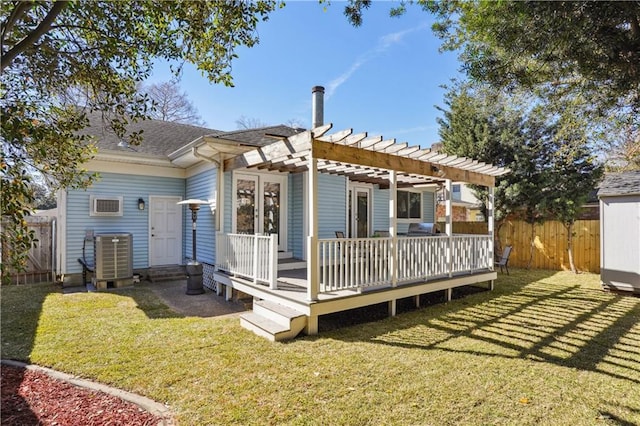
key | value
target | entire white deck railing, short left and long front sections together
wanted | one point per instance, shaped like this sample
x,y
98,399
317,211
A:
x,y
357,263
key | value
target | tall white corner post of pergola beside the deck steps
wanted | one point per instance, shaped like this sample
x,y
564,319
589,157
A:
x,y
313,276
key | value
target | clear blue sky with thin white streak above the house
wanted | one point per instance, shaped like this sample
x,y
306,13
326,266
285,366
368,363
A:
x,y
383,78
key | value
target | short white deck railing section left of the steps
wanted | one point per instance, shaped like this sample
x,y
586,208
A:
x,y
250,256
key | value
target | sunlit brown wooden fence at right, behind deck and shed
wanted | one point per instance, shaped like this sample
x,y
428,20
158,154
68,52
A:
x,y
550,243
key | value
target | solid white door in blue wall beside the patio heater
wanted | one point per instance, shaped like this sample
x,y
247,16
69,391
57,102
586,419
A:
x,y
165,231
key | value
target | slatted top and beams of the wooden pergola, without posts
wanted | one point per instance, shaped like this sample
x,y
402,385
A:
x,y
365,159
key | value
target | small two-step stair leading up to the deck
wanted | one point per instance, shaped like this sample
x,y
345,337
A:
x,y
273,321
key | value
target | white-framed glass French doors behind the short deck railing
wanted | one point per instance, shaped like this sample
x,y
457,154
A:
x,y
259,202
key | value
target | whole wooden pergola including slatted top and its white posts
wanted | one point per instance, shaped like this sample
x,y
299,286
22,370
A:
x,y
365,159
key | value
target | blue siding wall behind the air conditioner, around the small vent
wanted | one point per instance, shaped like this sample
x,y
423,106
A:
x,y
133,221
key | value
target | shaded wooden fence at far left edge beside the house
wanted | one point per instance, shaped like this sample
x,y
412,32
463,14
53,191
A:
x,y
40,260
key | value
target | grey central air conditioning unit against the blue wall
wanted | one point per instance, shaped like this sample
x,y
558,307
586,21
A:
x,y
113,256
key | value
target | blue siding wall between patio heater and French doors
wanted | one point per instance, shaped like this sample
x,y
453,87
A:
x,y
203,187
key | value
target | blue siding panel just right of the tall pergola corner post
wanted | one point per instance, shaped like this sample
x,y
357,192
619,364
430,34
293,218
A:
x,y
332,205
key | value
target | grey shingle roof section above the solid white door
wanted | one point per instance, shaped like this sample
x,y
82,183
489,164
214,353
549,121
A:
x,y
159,137
